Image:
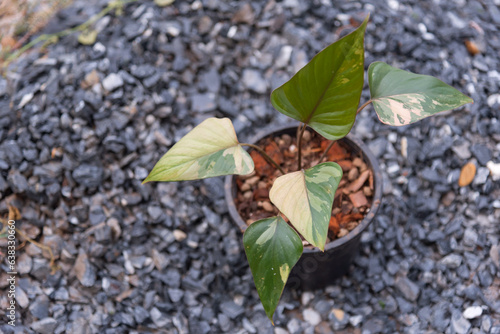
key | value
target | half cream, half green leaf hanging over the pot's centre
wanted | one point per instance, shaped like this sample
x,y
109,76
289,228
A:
x,y
306,199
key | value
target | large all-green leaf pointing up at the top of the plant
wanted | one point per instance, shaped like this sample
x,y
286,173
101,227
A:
x,y
325,93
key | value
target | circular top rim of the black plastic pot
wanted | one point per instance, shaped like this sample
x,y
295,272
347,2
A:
x,y
367,156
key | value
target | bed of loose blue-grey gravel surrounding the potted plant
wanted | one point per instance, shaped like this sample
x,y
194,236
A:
x,y
81,126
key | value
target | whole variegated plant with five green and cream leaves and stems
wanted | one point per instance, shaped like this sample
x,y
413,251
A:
x,y
325,96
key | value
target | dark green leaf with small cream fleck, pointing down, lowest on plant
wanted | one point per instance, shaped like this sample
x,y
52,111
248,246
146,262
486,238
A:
x,y
272,248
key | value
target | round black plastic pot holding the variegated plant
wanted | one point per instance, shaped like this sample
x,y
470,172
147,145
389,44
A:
x,y
317,269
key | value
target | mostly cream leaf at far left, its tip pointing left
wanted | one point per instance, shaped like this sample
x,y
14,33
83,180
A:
x,y
210,149
